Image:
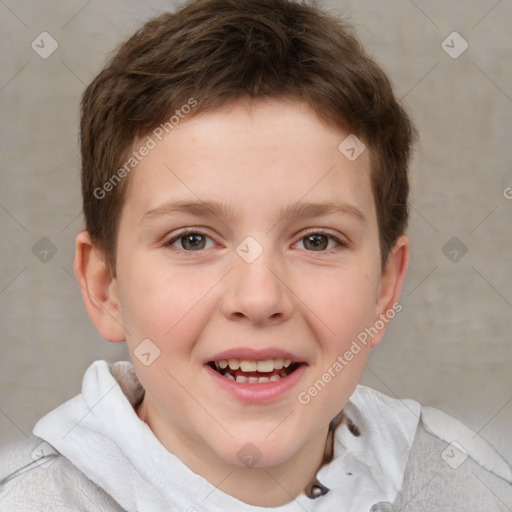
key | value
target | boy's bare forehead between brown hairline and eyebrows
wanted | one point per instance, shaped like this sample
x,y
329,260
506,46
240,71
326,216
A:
x,y
253,156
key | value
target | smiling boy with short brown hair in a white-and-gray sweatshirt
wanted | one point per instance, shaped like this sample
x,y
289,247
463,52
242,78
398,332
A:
x,y
244,178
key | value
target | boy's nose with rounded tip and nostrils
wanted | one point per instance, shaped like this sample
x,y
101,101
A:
x,y
258,292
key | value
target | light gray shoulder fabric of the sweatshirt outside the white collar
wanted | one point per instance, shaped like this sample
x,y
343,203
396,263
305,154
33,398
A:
x,y
430,484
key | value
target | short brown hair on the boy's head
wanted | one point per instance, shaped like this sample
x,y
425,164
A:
x,y
218,51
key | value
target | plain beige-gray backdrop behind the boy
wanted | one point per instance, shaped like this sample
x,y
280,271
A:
x,y
450,347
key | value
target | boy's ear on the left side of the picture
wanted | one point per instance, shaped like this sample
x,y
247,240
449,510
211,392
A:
x,y
99,289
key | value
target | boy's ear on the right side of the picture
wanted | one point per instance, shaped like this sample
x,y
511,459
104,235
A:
x,y
390,287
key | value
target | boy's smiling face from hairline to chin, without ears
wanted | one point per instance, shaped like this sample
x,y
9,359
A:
x,y
247,238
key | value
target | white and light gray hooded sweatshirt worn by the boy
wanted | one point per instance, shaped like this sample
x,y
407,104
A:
x,y
93,453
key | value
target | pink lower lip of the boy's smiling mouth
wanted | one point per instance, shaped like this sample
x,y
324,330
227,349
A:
x,y
257,393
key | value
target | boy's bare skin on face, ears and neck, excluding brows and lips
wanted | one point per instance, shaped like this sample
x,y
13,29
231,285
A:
x,y
256,158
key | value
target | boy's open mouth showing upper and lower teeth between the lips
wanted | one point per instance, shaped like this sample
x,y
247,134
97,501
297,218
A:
x,y
254,372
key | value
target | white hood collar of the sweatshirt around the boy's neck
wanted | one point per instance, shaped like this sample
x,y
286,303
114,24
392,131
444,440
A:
x,y
101,434
